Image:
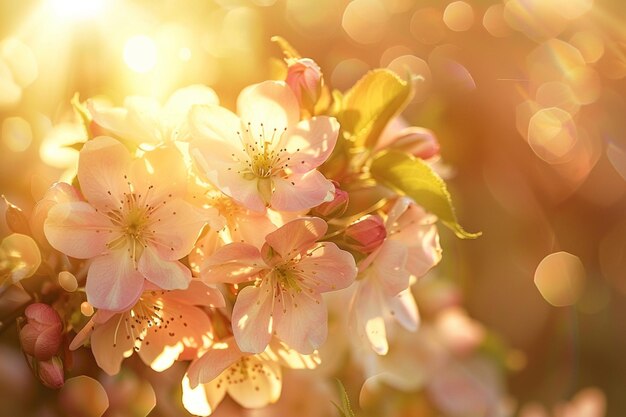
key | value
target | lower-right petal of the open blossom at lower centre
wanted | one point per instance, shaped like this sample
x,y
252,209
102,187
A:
x,y
301,321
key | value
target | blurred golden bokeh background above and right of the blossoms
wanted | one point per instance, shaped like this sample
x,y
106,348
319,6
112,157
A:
x,y
527,98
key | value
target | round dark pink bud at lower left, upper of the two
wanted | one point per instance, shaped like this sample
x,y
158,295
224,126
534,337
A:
x,y
41,335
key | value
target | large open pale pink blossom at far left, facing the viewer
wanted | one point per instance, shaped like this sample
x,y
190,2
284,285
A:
x,y
135,224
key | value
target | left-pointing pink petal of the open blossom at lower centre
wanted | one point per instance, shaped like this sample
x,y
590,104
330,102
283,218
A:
x,y
233,263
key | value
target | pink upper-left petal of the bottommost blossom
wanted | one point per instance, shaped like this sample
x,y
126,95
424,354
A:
x,y
210,365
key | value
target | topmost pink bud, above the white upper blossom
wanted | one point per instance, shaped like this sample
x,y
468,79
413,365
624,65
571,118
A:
x,y
304,77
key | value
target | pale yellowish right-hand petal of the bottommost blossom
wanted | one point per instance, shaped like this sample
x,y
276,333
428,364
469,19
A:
x,y
262,386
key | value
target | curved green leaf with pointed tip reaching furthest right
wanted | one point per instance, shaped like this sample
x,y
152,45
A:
x,y
414,178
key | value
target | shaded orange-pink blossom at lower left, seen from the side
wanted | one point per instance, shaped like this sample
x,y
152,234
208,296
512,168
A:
x,y
162,327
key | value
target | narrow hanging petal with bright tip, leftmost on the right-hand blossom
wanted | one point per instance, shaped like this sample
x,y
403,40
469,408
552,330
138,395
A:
x,y
368,311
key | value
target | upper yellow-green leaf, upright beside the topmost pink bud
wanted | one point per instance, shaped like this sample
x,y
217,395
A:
x,y
371,103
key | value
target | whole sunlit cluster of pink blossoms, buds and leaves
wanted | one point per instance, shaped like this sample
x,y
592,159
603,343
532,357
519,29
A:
x,y
215,237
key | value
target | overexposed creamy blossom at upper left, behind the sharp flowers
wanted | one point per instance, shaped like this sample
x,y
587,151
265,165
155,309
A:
x,y
143,120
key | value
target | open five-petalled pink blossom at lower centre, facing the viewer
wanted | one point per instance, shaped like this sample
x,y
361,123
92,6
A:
x,y
290,273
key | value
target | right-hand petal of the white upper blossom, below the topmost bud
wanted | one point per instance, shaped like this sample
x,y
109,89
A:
x,y
310,143
